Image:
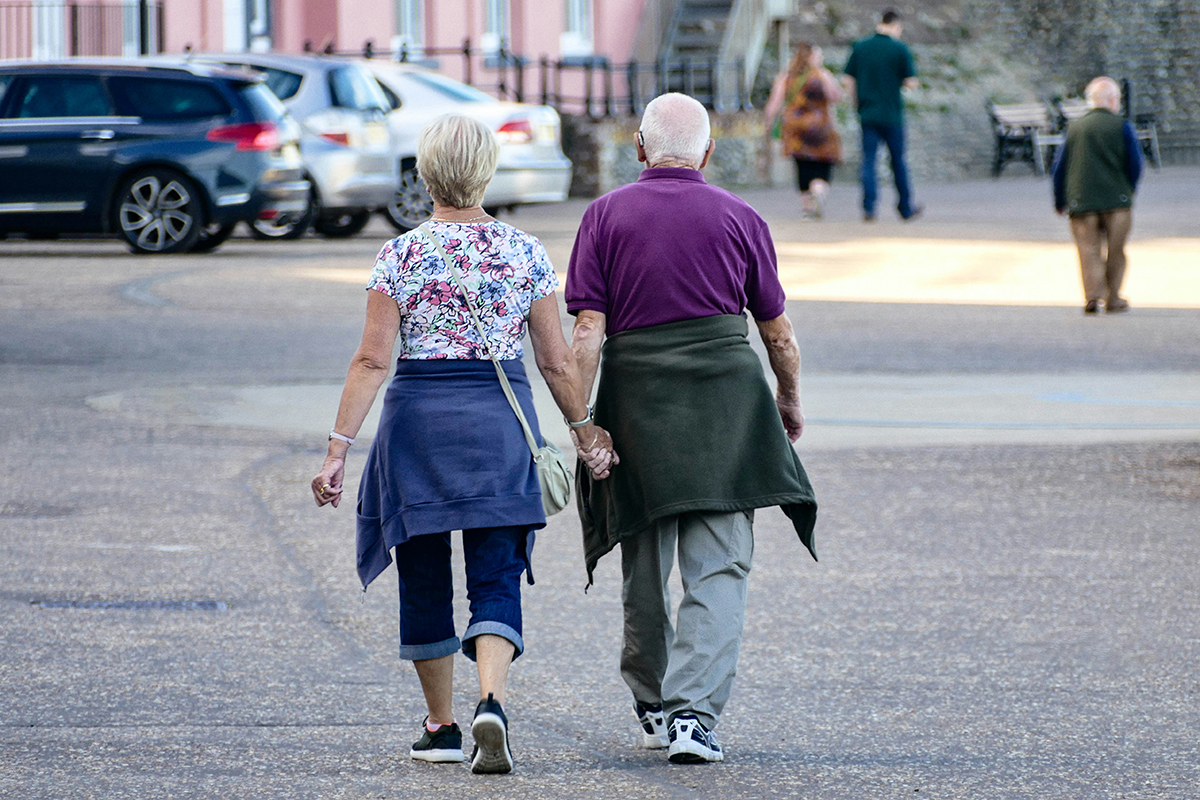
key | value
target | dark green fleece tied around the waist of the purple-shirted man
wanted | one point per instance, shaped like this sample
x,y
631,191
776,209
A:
x,y
697,429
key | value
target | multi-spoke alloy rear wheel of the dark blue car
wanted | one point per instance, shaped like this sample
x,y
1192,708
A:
x,y
159,212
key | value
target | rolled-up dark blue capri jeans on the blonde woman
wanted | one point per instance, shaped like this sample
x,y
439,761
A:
x,y
495,560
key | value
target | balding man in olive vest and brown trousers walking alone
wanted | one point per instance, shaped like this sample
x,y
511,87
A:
x,y
1095,177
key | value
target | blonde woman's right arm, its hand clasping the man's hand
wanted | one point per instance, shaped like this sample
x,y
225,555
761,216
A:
x,y
559,366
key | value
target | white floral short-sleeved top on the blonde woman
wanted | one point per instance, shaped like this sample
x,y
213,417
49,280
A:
x,y
505,270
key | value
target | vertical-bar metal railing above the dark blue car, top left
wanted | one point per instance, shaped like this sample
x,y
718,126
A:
x,y
53,31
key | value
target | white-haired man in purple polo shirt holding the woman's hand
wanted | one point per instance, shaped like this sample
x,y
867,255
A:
x,y
667,268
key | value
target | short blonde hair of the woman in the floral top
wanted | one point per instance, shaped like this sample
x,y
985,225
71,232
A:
x,y
457,159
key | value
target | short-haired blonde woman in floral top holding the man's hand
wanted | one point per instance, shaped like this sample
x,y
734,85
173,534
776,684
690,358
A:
x,y
451,453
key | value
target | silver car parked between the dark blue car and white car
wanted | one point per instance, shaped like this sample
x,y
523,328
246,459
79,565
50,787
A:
x,y
345,140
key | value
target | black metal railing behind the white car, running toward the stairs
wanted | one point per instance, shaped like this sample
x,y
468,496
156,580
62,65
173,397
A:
x,y
590,87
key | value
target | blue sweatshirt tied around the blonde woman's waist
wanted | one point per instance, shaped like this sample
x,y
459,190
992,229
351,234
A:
x,y
449,455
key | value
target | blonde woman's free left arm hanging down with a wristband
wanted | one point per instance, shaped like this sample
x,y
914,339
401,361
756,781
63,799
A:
x,y
369,370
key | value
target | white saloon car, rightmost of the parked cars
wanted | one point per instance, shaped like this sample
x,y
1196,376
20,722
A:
x,y
532,167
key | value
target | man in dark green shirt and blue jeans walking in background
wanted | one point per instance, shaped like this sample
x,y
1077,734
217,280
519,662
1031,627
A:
x,y
878,69
